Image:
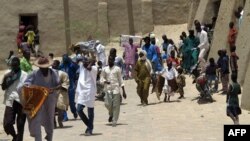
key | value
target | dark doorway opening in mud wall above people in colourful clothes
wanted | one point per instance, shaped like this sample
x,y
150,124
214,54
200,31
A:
x,y
29,19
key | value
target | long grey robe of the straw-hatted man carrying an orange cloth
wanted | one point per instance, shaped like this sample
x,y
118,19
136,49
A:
x,y
45,116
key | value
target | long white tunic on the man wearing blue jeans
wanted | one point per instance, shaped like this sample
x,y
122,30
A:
x,y
86,86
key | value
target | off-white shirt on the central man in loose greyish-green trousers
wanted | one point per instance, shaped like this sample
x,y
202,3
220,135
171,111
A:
x,y
112,75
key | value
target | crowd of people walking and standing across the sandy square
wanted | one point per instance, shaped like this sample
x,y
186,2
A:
x,y
79,80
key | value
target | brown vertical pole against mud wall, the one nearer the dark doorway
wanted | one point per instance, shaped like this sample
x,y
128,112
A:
x,y
67,24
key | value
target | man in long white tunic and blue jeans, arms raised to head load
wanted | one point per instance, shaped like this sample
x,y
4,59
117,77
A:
x,y
85,92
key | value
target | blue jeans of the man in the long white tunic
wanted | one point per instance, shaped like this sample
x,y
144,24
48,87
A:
x,y
87,121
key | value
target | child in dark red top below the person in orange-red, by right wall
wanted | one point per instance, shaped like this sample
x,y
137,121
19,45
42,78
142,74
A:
x,y
233,60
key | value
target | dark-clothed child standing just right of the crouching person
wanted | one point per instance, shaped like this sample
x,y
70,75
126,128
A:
x,y
211,74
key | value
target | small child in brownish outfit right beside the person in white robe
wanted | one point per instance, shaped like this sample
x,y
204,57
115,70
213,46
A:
x,y
180,82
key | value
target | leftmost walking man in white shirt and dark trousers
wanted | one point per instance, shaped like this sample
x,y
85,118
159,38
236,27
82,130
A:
x,y
12,81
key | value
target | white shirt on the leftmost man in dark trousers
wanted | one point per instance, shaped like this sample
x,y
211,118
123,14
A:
x,y
12,94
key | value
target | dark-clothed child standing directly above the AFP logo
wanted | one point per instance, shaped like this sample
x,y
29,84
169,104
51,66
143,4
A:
x,y
233,108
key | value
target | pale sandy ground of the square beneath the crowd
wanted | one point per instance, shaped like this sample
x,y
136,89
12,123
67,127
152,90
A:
x,y
180,120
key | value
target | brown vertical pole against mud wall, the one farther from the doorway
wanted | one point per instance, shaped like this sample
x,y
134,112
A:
x,y
130,17
